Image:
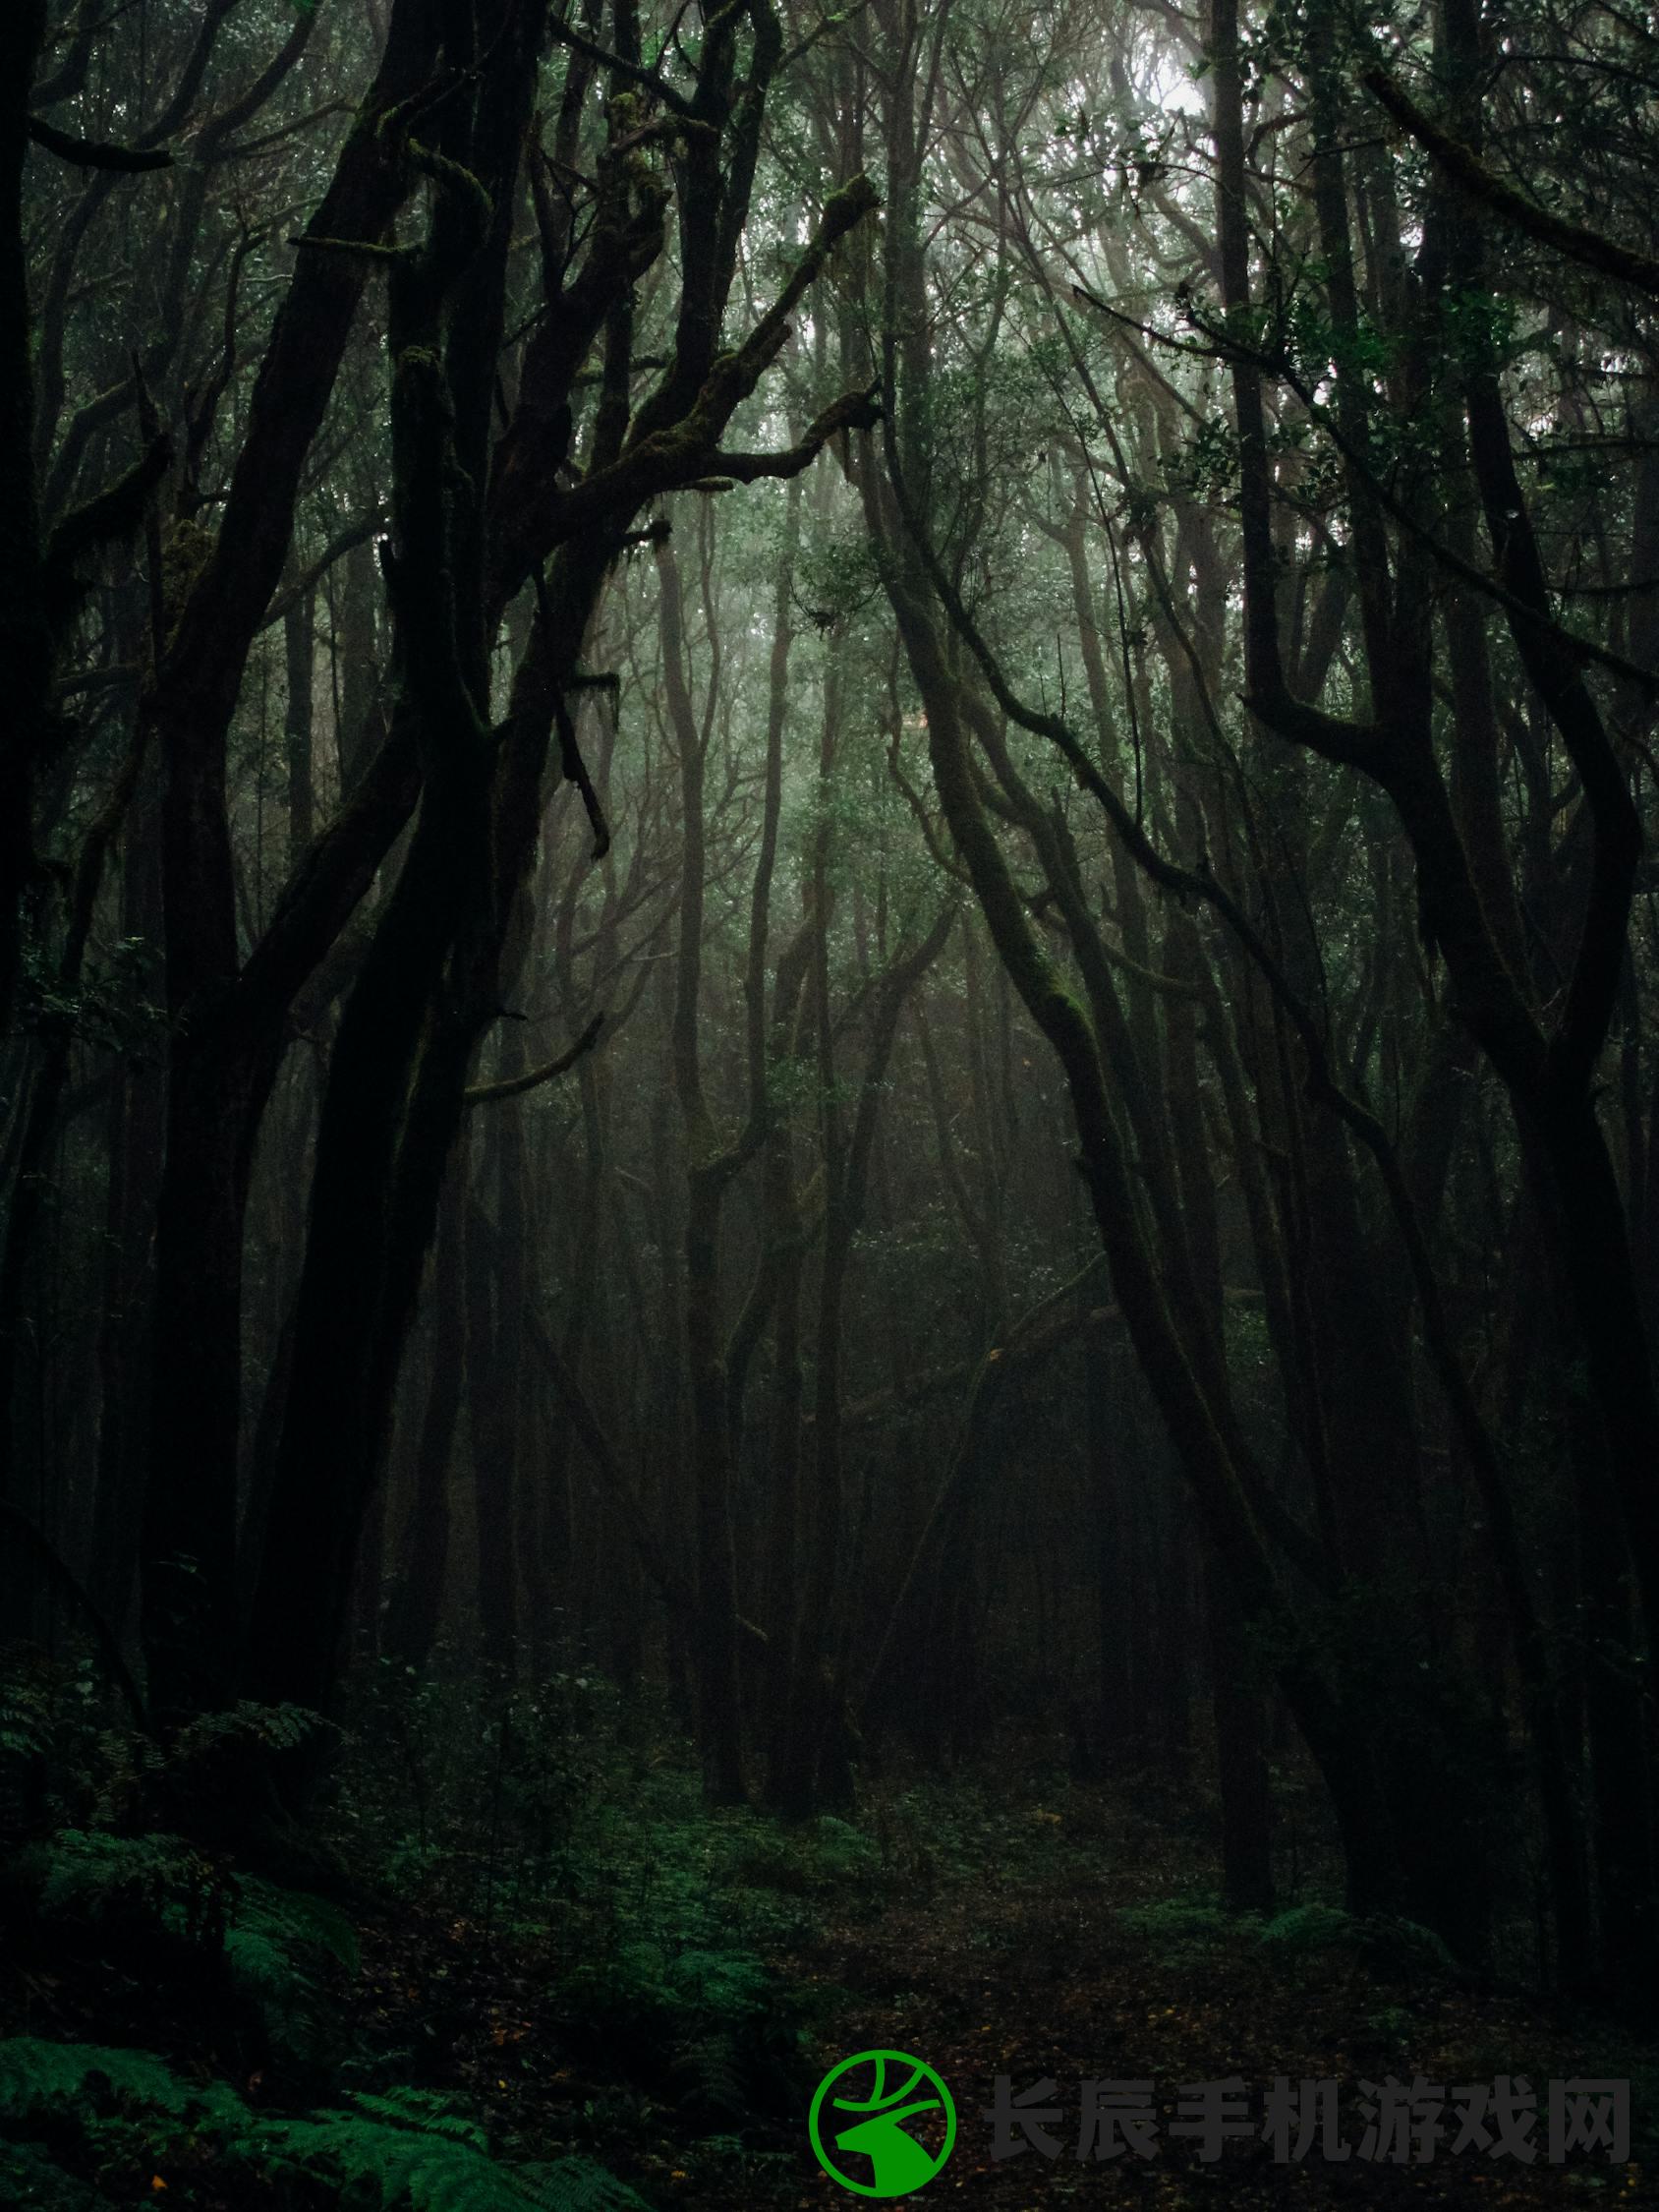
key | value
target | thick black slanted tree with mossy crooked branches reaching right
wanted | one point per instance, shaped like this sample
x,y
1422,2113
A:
x,y
430,979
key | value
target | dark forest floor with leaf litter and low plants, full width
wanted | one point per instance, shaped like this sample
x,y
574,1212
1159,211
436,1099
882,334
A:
x,y
660,1987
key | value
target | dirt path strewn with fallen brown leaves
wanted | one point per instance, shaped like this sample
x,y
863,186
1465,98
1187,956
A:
x,y
1076,1965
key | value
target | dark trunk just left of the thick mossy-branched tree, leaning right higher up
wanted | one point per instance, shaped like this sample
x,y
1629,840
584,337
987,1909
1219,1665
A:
x,y
229,1036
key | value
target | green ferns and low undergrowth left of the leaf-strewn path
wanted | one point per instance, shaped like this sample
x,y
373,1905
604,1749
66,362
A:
x,y
559,1826
